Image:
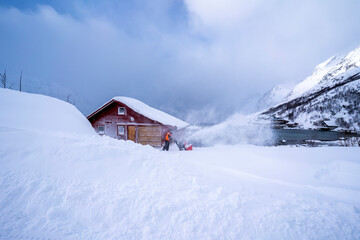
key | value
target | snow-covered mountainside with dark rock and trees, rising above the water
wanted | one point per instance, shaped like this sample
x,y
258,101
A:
x,y
332,93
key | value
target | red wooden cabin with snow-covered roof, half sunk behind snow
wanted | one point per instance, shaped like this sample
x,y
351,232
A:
x,y
130,119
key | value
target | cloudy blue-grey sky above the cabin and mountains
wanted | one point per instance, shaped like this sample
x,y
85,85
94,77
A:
x,y
199,58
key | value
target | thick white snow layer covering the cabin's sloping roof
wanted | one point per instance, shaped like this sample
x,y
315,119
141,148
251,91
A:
x,y
151,113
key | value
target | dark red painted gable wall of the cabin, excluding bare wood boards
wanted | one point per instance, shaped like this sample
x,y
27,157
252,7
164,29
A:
x,y
110,118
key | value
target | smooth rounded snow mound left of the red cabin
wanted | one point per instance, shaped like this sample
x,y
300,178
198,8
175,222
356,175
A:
x,y
36,112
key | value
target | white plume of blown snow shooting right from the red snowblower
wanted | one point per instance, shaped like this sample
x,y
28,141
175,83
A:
x,y
238,129
